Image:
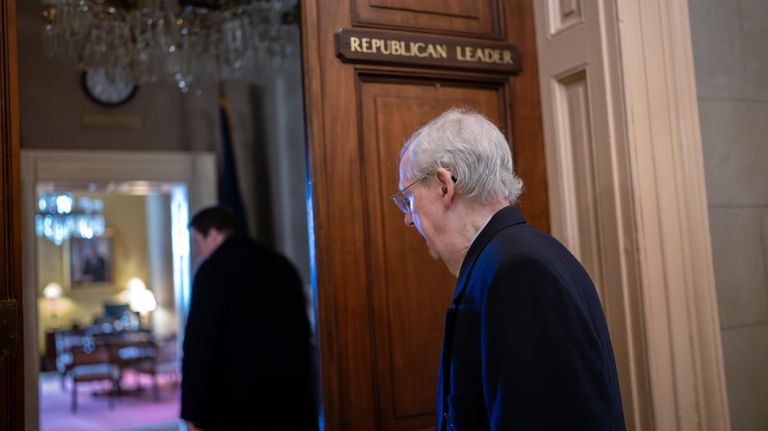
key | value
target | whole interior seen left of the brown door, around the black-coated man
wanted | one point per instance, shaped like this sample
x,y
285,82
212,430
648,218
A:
x,y
114,166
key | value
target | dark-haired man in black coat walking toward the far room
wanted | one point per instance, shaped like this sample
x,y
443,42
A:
x,y
246,363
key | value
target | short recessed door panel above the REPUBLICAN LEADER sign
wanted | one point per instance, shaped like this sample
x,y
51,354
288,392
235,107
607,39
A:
x,y
478,18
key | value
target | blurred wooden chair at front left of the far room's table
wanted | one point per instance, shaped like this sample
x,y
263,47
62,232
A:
x,y
93,363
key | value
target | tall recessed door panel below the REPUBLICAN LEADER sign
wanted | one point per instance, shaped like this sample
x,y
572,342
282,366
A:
x,y
410,291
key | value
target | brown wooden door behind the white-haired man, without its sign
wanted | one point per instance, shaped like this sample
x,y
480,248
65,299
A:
x,y
381,298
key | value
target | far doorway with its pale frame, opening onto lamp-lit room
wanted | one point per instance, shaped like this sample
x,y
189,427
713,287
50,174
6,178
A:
x,y
109,333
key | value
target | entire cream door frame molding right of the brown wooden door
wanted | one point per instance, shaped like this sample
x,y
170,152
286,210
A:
x,y
625,171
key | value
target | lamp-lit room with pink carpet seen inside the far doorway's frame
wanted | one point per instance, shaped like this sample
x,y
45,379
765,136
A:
x,y
110,325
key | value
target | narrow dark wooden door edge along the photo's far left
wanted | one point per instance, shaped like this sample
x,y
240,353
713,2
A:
x,y
11,352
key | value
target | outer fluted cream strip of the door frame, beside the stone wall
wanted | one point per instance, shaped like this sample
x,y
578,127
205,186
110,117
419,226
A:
x,y
662,120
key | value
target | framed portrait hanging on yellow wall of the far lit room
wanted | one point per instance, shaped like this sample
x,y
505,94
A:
x,y
91,261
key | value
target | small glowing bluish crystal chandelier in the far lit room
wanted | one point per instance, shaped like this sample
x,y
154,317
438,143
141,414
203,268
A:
x,y
58,219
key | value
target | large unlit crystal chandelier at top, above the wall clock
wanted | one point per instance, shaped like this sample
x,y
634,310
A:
x,y
182,41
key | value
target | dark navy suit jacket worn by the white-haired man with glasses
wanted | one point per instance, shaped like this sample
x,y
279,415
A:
x,y
526,346
